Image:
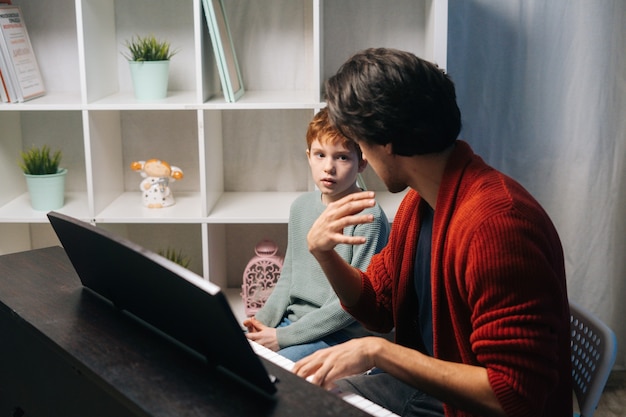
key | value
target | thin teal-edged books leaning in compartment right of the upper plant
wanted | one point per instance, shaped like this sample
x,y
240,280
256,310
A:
x,y
224,50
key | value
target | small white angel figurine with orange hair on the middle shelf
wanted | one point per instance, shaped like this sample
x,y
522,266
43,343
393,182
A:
x,y
155,188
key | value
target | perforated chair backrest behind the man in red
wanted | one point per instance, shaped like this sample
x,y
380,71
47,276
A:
x,y
594,348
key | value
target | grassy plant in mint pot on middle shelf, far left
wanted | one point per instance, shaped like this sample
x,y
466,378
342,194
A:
x,y
45,179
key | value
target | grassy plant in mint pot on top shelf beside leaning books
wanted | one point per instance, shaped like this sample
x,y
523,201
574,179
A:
x,y
149,60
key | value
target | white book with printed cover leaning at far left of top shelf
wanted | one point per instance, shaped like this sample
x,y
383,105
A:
x,y
20,70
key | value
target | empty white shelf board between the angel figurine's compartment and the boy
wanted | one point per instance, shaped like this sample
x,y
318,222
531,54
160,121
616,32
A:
x,y
254,207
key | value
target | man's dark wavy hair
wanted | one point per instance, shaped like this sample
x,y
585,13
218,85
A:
x,y
383,95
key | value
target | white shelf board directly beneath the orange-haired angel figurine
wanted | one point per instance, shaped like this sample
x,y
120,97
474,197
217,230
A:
x,y
128,208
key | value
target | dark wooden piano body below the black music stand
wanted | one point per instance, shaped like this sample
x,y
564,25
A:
x,y
66,352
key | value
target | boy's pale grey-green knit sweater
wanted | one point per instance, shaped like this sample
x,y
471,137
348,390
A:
x,y
303,294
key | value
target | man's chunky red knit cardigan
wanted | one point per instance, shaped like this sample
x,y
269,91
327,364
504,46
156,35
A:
x,y
498,287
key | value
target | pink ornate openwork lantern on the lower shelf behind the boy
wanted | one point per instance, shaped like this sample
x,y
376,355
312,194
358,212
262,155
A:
x,y
260,276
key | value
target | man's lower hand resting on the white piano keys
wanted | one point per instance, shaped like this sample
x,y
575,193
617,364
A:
x,y
350,358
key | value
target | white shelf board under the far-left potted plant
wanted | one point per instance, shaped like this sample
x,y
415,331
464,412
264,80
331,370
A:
x,y
20,210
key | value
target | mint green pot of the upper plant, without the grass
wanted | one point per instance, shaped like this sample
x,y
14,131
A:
x,y
150,79
